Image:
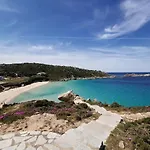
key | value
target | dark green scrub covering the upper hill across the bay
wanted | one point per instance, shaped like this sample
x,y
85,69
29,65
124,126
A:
x,y
53,72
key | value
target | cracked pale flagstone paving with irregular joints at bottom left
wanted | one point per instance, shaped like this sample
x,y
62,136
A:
x,y
31,140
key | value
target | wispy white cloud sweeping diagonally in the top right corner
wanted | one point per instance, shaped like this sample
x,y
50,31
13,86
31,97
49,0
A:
x,y
136,13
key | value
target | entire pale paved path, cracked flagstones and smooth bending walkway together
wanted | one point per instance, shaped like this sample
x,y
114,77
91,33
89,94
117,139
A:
x,y
85,137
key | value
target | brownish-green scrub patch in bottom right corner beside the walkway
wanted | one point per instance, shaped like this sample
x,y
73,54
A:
x,y
133,135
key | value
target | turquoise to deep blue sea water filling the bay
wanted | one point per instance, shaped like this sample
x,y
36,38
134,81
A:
x,y
127,91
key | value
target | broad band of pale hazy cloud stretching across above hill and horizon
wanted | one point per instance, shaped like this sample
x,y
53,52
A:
x,y
115,59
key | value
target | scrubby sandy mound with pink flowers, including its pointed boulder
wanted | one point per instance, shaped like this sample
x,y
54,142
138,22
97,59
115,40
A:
x,y
46,115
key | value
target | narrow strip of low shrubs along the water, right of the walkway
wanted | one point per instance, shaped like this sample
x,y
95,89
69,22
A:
x,y
119,108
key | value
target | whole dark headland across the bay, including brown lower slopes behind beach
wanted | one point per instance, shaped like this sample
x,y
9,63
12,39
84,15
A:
x,y
17,75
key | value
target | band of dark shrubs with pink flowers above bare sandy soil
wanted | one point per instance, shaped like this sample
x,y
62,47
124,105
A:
x,y
67,111
